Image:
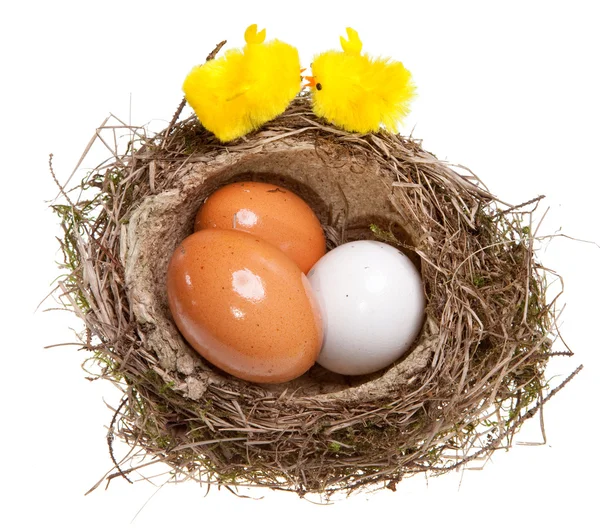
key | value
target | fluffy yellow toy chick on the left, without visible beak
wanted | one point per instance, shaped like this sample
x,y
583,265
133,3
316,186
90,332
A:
x,y
242,90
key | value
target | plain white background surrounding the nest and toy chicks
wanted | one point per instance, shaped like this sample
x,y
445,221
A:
x,y
510,91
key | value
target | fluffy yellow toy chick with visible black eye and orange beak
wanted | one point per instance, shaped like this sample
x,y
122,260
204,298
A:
x,y
358,93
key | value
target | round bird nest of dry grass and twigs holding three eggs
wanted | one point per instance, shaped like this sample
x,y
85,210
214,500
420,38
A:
x,y
474,375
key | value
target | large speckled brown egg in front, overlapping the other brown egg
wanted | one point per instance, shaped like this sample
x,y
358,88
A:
x,y
244,306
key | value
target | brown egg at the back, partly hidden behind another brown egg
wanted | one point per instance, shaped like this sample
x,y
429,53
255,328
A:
x,y
270,212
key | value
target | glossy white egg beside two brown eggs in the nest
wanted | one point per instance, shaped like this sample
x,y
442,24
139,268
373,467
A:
x,y
372,303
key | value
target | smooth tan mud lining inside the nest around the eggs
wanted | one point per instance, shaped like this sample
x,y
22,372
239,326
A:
x,y
348,203
